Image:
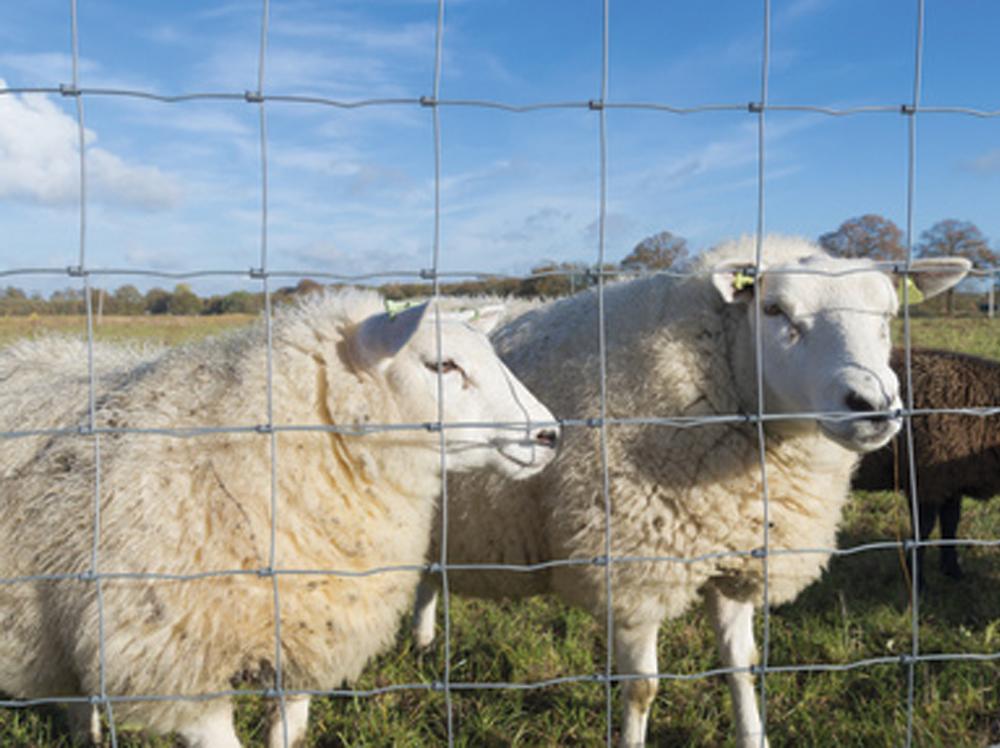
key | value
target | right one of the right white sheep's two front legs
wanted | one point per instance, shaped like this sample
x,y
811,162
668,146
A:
x,y
733,623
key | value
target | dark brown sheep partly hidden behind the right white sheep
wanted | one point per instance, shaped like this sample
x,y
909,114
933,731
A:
x,y
956,455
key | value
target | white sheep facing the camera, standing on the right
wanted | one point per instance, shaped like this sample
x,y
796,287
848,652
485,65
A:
x,y
686,348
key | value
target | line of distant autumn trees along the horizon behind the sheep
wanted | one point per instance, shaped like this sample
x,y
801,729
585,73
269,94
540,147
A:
x,y
871,236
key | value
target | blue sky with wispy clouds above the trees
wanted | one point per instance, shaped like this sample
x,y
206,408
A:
x,y
176,187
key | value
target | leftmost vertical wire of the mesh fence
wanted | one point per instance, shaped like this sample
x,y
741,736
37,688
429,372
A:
x,y
94,573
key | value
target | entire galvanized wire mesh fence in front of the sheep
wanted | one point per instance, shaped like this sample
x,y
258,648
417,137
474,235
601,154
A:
x,y
261,98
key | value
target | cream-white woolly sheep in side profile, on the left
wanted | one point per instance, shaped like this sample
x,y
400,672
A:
x,y
201,505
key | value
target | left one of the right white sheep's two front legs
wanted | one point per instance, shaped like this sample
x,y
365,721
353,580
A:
x,y
635,653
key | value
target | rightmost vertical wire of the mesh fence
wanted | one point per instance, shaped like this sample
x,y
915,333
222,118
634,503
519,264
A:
x,y
911,181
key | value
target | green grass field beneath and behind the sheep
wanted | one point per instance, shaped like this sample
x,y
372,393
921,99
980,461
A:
x,y
859,609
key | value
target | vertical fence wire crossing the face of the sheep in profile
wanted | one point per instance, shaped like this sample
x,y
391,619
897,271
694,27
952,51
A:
x,y
445,684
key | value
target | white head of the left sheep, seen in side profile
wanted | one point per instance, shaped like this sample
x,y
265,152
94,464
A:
x,y
474,386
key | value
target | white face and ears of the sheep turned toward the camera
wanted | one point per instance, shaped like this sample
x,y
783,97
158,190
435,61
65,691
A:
x,y
826,344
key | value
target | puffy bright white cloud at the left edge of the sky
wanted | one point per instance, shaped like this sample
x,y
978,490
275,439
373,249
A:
x,y
40,161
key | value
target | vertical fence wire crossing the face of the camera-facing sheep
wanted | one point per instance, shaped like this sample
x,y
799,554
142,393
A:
x,y
759,362
